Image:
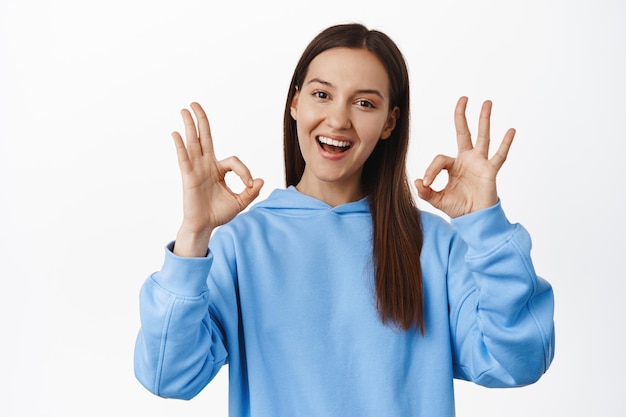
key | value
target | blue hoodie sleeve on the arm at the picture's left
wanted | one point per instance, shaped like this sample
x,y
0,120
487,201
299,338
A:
x,y
180,347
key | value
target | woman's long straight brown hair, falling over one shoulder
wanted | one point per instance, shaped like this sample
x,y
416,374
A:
x,y
397,233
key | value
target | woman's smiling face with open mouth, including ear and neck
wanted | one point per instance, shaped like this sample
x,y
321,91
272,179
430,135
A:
x,y
341,112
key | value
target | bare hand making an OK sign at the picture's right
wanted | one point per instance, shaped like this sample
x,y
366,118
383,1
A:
x,y
472,174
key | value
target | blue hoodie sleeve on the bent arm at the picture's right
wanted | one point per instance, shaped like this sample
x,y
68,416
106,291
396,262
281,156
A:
x,y
501,312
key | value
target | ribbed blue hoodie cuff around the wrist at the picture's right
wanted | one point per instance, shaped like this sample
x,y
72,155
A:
x,y
485,230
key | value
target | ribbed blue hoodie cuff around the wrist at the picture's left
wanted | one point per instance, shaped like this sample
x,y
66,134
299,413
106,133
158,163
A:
x,y
184,276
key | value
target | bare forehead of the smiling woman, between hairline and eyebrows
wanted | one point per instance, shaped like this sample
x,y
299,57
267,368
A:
x,y
350,68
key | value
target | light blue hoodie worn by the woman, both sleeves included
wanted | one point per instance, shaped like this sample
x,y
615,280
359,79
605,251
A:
x,y
285,297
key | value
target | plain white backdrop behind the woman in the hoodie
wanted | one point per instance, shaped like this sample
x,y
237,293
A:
x,y
90,190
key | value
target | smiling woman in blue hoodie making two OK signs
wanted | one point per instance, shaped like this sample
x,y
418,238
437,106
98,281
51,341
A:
x,y
336,296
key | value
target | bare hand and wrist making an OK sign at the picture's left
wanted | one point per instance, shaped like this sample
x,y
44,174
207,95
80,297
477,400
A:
x,y
207,201
